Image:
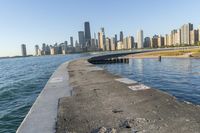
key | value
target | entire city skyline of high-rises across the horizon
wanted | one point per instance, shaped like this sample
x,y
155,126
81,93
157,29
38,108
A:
x,y
184,36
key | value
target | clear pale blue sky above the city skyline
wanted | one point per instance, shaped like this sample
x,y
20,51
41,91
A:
x,y
34,22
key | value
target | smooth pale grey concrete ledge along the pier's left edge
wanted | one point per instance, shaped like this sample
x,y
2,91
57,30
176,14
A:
x,y
42,116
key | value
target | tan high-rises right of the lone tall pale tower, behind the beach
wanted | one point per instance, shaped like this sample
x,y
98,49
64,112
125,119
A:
x,y
186,35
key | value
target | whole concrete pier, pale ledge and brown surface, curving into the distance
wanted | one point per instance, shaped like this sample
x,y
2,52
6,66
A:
x,y
83,98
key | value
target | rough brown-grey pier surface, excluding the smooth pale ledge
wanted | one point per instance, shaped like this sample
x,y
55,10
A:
x,y
100,104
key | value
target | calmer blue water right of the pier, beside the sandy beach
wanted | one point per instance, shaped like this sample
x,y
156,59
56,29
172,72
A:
x,y
179,77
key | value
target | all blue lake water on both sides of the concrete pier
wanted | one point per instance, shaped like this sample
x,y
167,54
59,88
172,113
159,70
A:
x,y
22,79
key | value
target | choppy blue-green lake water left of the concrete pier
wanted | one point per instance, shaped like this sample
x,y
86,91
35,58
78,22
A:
x,y
21,80
